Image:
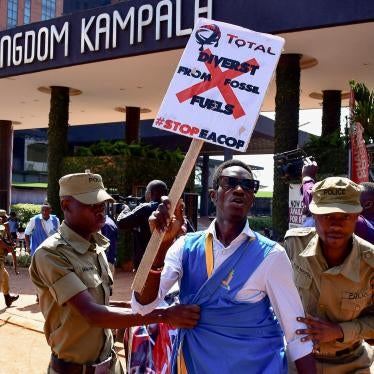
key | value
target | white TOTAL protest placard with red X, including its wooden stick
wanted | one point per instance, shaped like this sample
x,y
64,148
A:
x,y
215,96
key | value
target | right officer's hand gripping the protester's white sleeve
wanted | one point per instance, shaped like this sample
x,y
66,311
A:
x,y
319,331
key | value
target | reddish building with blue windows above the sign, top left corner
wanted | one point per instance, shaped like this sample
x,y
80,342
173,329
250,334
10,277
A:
x,y
22,12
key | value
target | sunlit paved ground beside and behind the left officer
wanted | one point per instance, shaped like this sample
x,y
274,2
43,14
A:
x,y
23,345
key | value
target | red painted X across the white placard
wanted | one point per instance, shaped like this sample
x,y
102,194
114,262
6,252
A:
x,y
217,80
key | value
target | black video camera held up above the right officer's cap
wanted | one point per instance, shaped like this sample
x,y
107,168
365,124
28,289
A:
x,y
289,164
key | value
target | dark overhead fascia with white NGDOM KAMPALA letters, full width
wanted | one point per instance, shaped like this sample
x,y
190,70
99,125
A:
x,y
137,27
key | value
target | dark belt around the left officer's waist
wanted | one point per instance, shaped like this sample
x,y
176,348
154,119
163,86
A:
x,y
64,367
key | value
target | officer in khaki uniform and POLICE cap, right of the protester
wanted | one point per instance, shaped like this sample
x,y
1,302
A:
x,y
333,271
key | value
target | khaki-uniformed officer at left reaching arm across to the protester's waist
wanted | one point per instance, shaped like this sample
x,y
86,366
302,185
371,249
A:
x,y
71,274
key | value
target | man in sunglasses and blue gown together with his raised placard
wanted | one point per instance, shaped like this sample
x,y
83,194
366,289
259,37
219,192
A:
x,y
238,277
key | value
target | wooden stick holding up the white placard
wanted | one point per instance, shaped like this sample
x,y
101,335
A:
x,y
174,195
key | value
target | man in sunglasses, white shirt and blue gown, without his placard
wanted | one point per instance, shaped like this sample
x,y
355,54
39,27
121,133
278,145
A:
x,y
238,277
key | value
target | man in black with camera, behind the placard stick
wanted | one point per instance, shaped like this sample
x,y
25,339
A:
x,y
137,219
